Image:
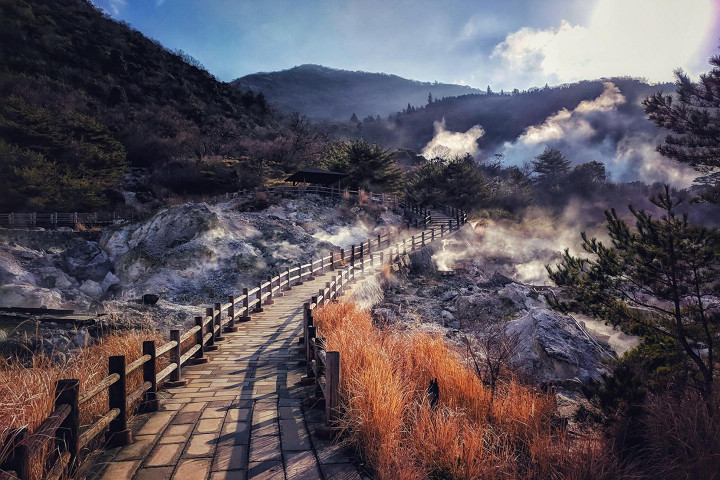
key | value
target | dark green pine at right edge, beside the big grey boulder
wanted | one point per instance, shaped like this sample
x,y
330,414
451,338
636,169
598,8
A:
x,y
661,279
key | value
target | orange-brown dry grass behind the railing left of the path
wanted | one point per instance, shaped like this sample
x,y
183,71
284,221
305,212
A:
x,y
27,387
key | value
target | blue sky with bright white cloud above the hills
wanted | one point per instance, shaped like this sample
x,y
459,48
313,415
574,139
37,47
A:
x,y
506,44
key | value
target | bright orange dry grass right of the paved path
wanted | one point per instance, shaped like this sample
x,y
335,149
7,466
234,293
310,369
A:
x,y
386,414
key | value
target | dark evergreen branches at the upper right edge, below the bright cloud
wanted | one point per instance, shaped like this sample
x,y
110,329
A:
x,y
693,117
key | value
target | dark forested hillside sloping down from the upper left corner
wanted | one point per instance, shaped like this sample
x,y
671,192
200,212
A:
x,y
83,98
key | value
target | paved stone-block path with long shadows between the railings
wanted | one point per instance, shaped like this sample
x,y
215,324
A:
x,y
240,415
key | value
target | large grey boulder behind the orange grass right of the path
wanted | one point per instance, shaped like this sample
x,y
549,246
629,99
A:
x,y
555,348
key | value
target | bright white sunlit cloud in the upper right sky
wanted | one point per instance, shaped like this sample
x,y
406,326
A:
x,y
641,38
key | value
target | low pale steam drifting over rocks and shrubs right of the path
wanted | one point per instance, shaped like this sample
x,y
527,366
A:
x,y
521,249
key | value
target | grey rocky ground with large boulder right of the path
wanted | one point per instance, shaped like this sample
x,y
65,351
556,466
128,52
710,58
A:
x,y
467,303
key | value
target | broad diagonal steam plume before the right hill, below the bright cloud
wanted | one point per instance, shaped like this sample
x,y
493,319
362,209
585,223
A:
x,y
604,129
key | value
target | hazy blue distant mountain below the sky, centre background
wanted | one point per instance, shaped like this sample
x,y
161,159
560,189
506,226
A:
x,y
323,93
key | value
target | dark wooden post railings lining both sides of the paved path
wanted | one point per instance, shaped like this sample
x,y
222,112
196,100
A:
x,y
53,449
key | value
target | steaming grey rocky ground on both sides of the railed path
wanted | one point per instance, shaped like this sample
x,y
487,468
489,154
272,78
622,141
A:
x,y
193,254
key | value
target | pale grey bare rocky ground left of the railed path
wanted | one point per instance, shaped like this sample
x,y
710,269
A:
x,y
188,255
